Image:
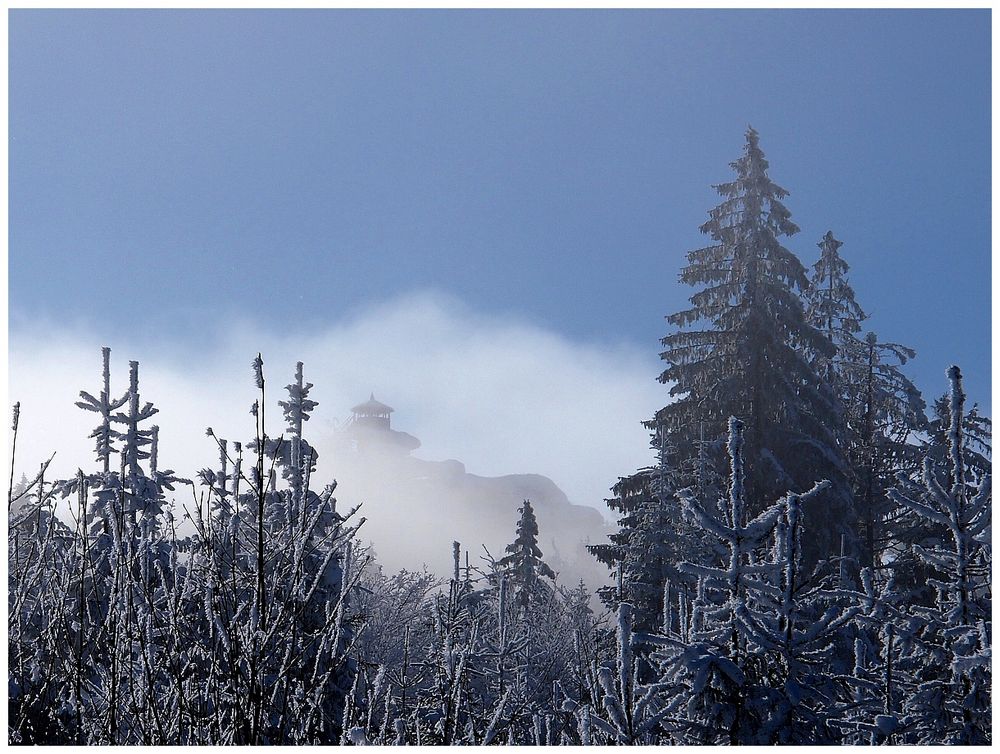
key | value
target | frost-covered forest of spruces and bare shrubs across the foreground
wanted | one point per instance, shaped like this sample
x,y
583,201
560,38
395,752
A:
x,y
807,562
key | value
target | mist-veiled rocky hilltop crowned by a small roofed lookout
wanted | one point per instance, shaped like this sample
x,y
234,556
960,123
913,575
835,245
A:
x,y
417,508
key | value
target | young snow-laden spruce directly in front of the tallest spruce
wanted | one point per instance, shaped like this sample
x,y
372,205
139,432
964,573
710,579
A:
x,y
748,668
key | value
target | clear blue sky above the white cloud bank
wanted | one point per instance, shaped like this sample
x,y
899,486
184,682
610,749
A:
x,y
171,171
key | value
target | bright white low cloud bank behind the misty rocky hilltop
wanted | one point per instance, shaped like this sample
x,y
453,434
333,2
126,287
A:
x,y
501,395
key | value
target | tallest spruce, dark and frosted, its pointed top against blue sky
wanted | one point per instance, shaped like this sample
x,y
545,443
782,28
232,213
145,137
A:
x,y
742,350
